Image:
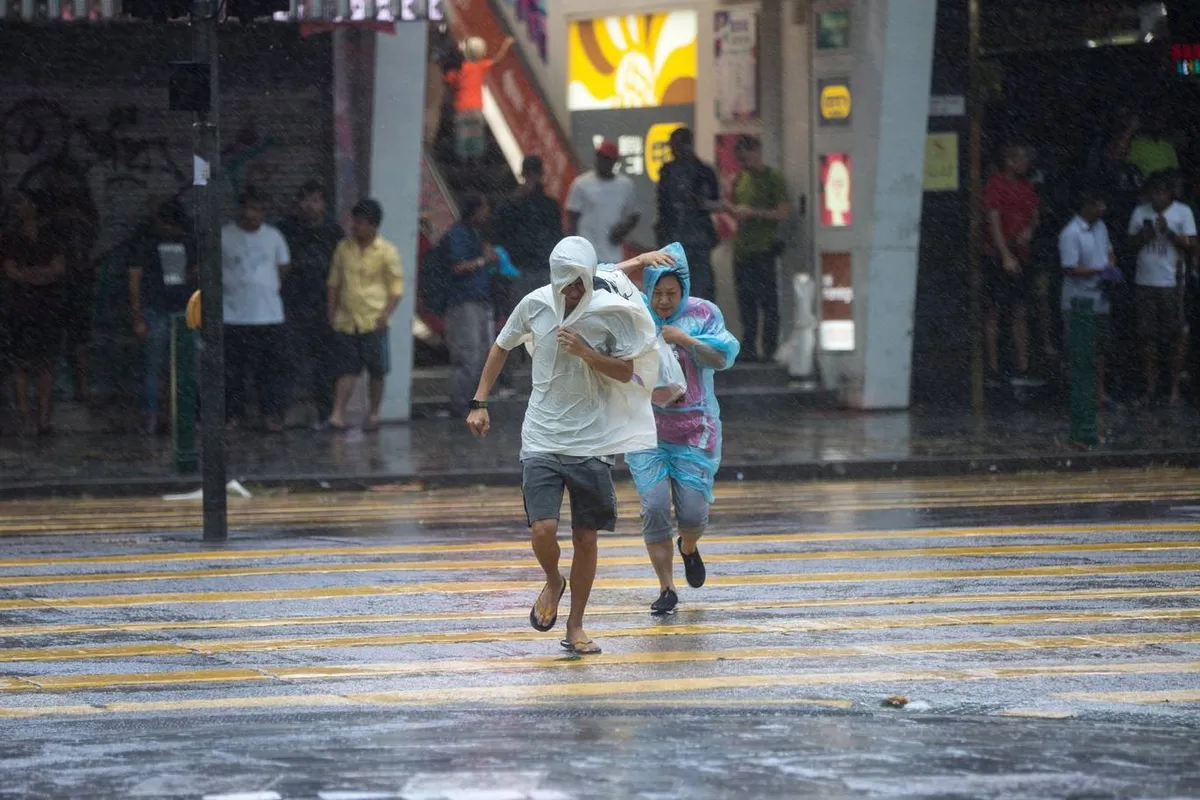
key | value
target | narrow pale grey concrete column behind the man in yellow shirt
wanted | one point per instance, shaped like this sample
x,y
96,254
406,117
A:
x,y
397,137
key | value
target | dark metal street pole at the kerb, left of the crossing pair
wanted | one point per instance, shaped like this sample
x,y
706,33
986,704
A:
x,y
208,240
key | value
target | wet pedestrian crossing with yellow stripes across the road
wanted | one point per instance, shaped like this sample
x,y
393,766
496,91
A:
x,y
1060,619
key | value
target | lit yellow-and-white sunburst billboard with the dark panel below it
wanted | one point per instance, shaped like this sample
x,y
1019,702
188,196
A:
x,y
633,80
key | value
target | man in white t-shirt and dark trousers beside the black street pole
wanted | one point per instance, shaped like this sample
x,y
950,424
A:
x,y
254,258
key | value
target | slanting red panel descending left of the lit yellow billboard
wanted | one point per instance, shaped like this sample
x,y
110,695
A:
x,y
518,98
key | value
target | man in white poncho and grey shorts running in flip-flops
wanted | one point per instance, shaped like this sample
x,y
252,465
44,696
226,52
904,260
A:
x,y
595,366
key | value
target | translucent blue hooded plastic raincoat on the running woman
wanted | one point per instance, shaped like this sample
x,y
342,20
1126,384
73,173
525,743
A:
x,y
691,429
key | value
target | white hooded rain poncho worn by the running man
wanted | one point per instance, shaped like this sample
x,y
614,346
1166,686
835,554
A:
x,y
574,411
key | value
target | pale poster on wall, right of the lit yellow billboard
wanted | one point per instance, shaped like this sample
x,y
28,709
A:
x,y
736,64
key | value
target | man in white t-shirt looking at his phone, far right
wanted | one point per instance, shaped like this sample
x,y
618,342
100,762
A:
x,y
1163,230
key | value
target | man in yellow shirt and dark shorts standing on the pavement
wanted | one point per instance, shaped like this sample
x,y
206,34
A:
x,y
367,282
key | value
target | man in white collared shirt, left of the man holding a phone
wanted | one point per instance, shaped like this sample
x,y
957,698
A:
x,y
1088,262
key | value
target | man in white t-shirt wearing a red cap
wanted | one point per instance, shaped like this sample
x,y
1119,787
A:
x,y
602,206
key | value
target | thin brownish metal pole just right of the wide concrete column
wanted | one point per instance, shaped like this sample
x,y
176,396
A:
x,y
976,111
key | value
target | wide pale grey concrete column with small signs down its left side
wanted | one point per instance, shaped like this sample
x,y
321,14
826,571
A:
x,y
889,64
